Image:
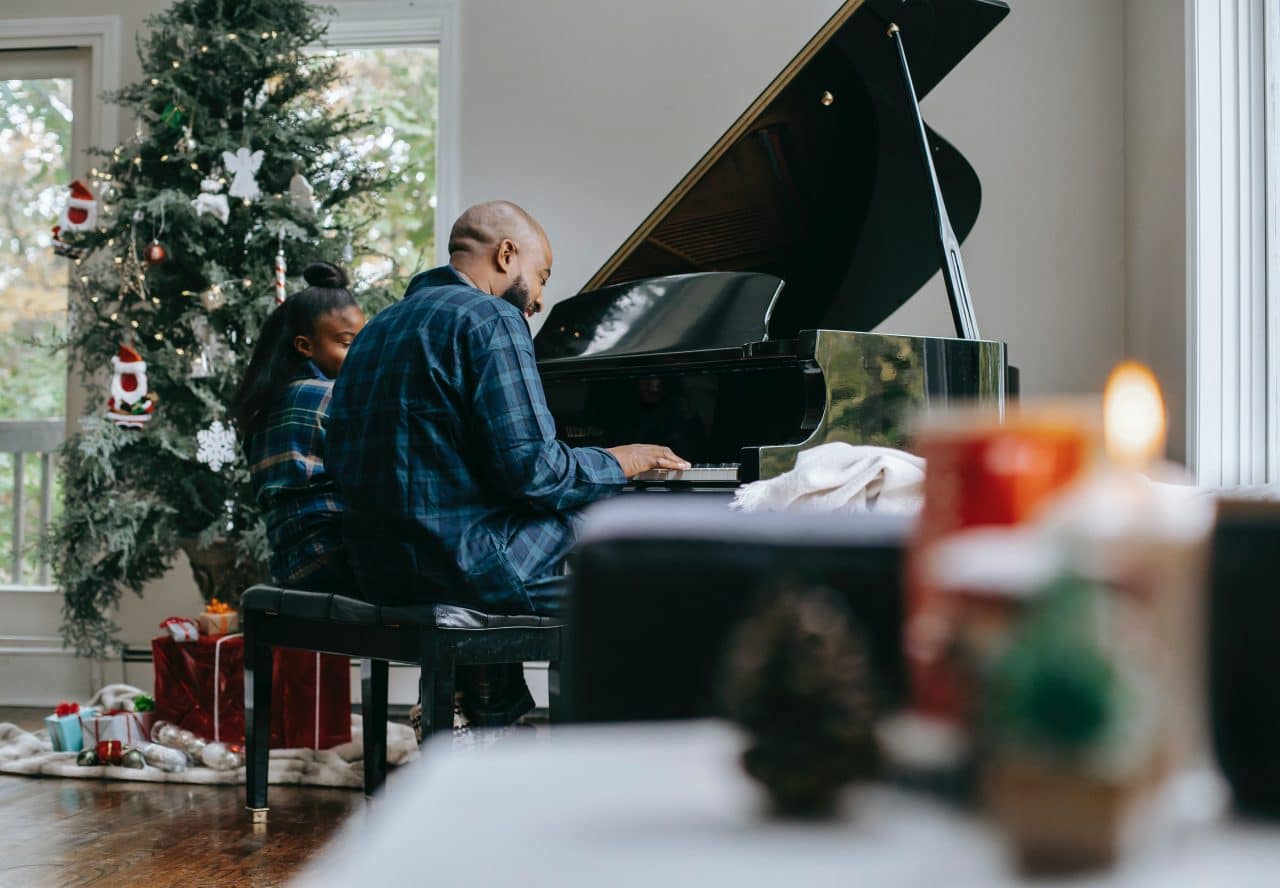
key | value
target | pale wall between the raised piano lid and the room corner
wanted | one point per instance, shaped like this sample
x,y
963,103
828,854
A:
x,y
1039,111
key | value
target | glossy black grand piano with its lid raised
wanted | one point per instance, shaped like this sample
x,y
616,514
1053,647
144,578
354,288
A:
x,y
734,324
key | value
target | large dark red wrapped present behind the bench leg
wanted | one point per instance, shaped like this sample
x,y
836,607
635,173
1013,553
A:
x,y
200,686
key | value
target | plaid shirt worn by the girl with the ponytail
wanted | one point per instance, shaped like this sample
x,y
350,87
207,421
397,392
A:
x,y
299,500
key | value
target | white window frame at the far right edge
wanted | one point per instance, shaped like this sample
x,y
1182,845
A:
x,y
1233,241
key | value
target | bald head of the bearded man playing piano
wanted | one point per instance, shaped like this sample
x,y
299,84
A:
x,y
504,251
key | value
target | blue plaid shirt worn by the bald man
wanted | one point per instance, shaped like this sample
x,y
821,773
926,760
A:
x,y
446,455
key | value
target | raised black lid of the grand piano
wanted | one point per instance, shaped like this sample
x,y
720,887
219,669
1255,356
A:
x,y
819,184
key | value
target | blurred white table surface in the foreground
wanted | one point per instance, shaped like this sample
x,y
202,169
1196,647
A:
x,y
668,805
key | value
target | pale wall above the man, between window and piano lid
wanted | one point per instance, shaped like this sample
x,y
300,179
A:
x,y
588,112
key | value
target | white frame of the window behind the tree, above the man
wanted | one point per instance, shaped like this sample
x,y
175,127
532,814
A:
x,y
391,24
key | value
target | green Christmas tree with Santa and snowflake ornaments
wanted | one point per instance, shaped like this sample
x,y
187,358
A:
x,y
239,175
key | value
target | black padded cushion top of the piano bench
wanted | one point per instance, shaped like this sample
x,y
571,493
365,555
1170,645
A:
x,y
342,610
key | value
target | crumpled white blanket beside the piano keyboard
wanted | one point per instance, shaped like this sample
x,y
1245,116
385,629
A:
x,y
842,478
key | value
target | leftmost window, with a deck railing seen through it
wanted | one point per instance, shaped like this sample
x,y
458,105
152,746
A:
x,y
43,123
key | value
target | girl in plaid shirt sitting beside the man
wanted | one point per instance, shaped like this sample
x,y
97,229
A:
x,y
281,409
